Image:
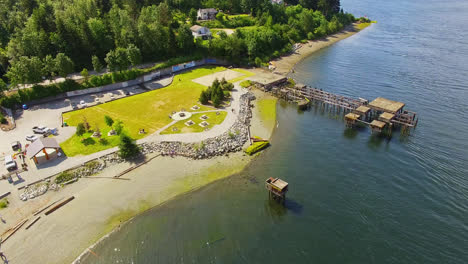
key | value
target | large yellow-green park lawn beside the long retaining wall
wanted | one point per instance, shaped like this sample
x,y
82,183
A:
x,y
149,111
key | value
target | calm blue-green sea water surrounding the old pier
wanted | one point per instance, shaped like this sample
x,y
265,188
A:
x,y
353,198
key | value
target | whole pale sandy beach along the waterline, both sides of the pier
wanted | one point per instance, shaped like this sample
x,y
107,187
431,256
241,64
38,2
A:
x,y
103,203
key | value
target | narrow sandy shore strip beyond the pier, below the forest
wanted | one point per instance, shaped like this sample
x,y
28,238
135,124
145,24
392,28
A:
x,y
285,64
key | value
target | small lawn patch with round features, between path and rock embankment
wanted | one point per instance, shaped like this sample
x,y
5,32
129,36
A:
x,y
213,119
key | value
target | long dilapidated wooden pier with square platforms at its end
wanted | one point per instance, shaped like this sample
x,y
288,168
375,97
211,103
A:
x,y
381,114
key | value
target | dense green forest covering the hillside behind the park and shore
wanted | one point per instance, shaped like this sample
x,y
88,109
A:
x,y
46,38
